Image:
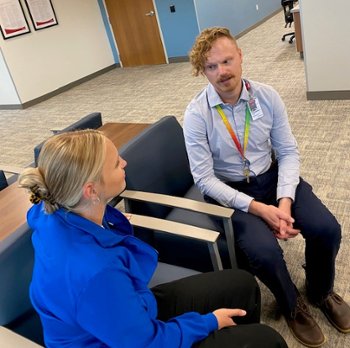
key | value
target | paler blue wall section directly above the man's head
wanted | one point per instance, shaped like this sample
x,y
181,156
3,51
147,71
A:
x,y
237,15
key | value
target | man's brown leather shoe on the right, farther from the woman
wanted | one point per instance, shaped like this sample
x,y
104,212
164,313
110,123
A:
x,y
337,312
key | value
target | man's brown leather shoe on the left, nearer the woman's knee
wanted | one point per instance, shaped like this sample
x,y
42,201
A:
x,y
304,327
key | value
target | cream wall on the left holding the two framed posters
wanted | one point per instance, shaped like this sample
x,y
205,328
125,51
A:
x,y
45,60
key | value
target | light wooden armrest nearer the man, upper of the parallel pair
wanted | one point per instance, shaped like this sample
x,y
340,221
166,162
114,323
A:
x,y
179,202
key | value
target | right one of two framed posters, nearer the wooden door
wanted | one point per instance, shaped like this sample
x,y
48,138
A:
x,y
41,13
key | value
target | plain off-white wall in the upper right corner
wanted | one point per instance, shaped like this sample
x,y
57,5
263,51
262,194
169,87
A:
x,y
326,29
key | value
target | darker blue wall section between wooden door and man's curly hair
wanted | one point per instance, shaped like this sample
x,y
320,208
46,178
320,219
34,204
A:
x,y
179,28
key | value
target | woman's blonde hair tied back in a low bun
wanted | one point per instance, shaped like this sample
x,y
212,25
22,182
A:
x,y
67,161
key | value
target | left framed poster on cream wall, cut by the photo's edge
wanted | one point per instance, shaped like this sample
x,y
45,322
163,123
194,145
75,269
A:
x,y
12,19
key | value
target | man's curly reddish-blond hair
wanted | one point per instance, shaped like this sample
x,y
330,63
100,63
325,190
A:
x,y
203,45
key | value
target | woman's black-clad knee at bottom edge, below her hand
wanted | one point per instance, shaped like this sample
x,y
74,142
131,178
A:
x,y
247,336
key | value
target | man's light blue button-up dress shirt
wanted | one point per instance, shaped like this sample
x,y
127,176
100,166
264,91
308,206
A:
x,y
213,156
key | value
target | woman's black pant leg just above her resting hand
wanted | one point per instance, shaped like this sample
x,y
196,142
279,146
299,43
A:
x,y
206,292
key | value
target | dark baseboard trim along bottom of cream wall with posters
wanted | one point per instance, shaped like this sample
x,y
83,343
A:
x,y
59,90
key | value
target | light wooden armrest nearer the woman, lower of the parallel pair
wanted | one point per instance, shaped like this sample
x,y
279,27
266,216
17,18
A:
x,y
175,228
